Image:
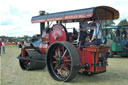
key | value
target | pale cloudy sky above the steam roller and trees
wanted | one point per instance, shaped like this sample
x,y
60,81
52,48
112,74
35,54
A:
x,y
15,15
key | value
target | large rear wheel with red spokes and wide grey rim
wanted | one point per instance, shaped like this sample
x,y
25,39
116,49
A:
x,y
63,61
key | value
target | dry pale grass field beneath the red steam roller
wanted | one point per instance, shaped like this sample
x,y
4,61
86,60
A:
x,y
12,74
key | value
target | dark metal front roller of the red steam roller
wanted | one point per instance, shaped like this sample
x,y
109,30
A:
x,y
31,64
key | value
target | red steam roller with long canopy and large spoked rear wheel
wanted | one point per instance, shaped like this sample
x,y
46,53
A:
x,y
56,48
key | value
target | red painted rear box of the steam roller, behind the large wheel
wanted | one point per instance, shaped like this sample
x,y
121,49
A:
x,y
90,55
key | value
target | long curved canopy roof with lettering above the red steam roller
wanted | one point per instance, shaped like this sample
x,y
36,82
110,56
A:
x,y
94,13
